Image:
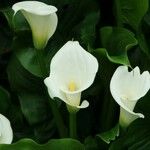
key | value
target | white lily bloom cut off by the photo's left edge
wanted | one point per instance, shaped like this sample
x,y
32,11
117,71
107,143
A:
x,y
6,134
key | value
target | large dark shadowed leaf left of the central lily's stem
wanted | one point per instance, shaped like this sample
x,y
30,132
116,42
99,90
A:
x,y
31,92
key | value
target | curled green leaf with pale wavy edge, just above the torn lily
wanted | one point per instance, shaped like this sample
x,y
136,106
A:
x,y
116,48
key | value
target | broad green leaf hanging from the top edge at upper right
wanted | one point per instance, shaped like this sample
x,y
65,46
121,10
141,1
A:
x,y
131,12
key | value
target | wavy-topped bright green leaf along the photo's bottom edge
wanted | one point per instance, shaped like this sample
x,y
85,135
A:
x,y
60,144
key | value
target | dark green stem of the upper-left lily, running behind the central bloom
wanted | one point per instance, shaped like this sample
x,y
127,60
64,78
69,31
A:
x,y
58,118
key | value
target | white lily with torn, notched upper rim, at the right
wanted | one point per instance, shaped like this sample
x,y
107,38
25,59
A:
x,y
127,88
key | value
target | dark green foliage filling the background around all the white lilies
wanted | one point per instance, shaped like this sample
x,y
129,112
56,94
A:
x,y
116,32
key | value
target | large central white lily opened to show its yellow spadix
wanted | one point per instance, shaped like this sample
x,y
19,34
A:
x,y
72,70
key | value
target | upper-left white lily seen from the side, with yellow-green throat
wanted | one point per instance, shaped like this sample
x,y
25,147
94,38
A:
x,y
42,19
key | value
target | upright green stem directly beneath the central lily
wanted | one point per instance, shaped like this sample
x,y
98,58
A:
x,y
72,125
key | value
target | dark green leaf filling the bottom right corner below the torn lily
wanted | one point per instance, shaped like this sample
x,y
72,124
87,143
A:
x,y
136,137
